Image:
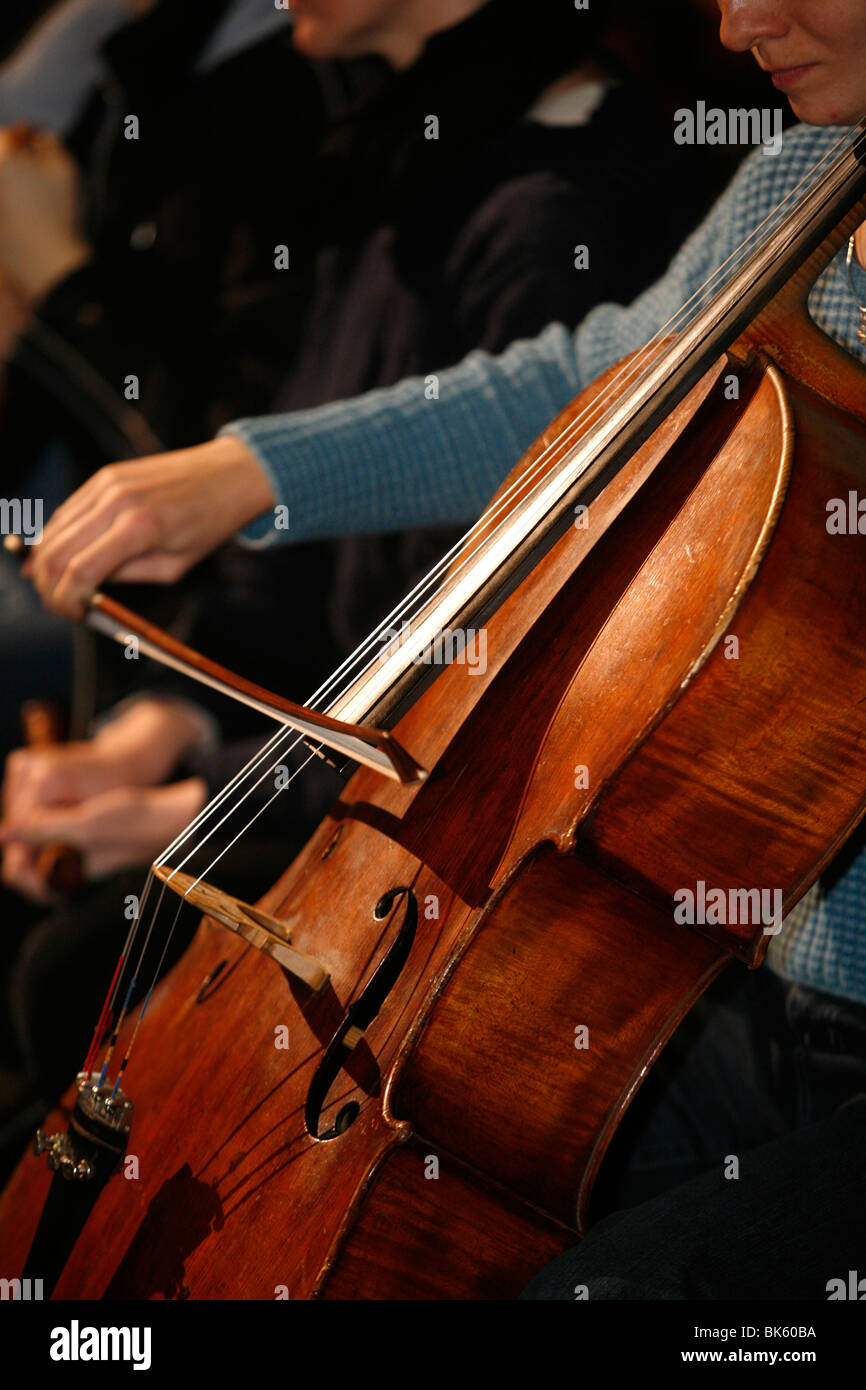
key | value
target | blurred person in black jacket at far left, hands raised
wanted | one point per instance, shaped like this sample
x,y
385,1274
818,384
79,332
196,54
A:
x,y
137,300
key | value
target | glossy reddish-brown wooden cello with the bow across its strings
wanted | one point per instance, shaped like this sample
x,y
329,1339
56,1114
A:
x,y
398,1074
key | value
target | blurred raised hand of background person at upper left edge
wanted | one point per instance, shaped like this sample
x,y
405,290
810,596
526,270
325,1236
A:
x,y
41,229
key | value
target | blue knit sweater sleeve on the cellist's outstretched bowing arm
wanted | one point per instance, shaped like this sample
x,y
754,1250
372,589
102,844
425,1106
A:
x,y
432,451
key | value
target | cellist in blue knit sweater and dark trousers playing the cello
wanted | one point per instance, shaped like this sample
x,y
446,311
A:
x,y
790,1049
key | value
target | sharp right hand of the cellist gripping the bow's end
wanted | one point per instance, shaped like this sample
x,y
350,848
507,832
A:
x,y
147,522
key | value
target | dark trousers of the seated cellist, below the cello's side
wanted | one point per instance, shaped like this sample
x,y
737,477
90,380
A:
x,y
739,1174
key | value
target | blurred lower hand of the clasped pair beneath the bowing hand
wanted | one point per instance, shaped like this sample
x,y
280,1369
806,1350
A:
x,y
122,829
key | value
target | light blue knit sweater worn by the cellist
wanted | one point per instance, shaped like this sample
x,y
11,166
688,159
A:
x,y
404,458
